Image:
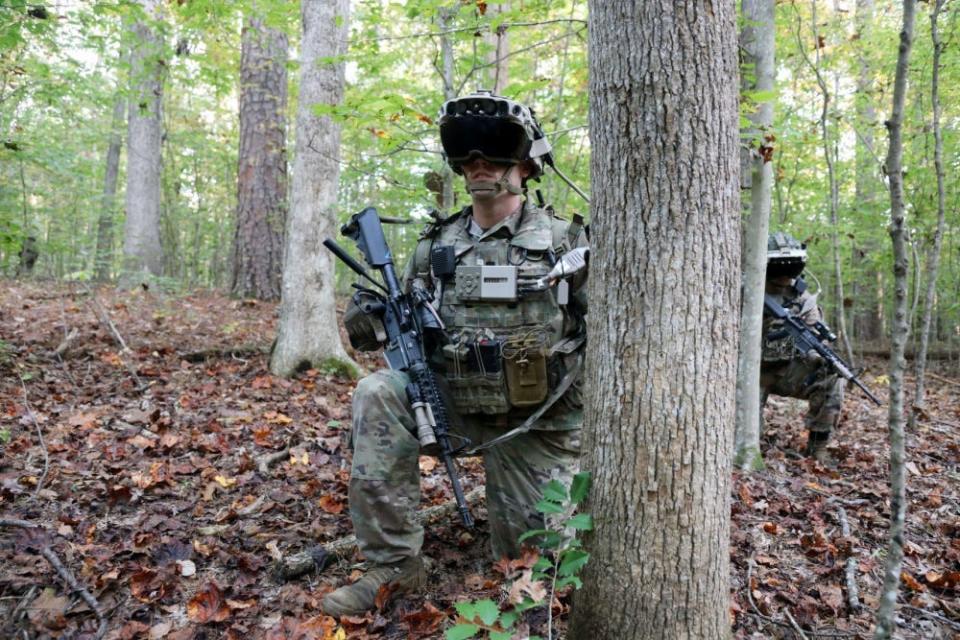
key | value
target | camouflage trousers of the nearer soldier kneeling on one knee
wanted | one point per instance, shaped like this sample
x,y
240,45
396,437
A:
x,y
385,478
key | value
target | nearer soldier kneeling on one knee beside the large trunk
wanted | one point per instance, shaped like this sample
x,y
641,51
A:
x,y
507,356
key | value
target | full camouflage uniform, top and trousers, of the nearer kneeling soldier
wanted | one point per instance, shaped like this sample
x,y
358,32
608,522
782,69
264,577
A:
x,y
486,395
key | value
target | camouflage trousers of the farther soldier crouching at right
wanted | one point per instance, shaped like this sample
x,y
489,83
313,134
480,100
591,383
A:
x,y
808,380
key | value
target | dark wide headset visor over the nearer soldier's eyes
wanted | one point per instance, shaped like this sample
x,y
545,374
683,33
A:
x,y
494,139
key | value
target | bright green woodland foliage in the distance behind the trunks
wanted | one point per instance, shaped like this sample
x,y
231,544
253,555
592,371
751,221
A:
x,y
65,77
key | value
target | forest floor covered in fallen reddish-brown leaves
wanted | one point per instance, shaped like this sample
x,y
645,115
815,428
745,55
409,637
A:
x,y
146,471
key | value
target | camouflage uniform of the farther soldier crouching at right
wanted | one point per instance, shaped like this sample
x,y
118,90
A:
x,y
786,372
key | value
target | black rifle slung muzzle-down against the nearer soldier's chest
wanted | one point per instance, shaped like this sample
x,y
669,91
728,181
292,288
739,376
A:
x,y
408,319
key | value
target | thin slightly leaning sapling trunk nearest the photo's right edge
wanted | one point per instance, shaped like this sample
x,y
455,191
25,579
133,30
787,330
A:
x,y
933,261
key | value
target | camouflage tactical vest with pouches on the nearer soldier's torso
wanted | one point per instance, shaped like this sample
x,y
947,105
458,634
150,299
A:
x,y
502,356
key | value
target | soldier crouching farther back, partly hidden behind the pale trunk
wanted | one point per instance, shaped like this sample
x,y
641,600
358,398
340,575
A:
x,y
784,371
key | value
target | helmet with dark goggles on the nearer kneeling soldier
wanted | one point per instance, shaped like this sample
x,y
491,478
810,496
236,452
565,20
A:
x,y
497,129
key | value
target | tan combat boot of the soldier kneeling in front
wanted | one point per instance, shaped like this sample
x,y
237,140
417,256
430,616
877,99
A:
x,y
353,599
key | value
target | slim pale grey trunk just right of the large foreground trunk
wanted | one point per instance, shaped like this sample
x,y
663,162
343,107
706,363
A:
x,y
758,39
